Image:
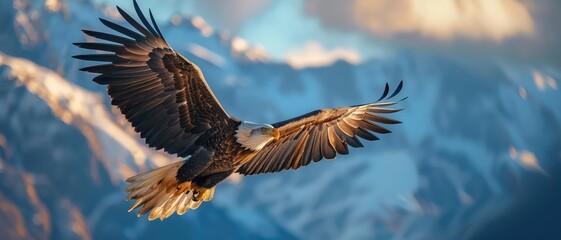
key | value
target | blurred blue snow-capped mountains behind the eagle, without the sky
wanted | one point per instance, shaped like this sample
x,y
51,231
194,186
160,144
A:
x,y
475,136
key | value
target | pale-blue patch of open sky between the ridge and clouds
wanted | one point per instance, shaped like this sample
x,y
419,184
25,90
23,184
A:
x,y
278,26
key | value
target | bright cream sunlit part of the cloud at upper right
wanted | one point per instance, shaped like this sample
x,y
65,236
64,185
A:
x,y
445,19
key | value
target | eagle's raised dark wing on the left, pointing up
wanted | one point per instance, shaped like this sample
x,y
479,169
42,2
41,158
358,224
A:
x,y
162,94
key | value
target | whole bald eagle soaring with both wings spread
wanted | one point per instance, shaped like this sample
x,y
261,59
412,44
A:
x,y
167,100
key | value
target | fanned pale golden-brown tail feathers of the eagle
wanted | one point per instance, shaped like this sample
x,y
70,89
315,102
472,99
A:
x,y
159,192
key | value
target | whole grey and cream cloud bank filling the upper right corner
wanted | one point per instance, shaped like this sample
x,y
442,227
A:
x,y
521,31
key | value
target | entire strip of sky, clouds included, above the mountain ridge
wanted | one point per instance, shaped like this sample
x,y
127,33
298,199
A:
x,y
505,30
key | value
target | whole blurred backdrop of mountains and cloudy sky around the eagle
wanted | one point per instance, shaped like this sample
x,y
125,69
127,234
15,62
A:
x,y
477,156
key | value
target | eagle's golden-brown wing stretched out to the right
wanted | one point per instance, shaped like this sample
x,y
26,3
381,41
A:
x,y
322,134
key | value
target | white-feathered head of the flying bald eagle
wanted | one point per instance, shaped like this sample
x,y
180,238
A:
x,y
255,136
